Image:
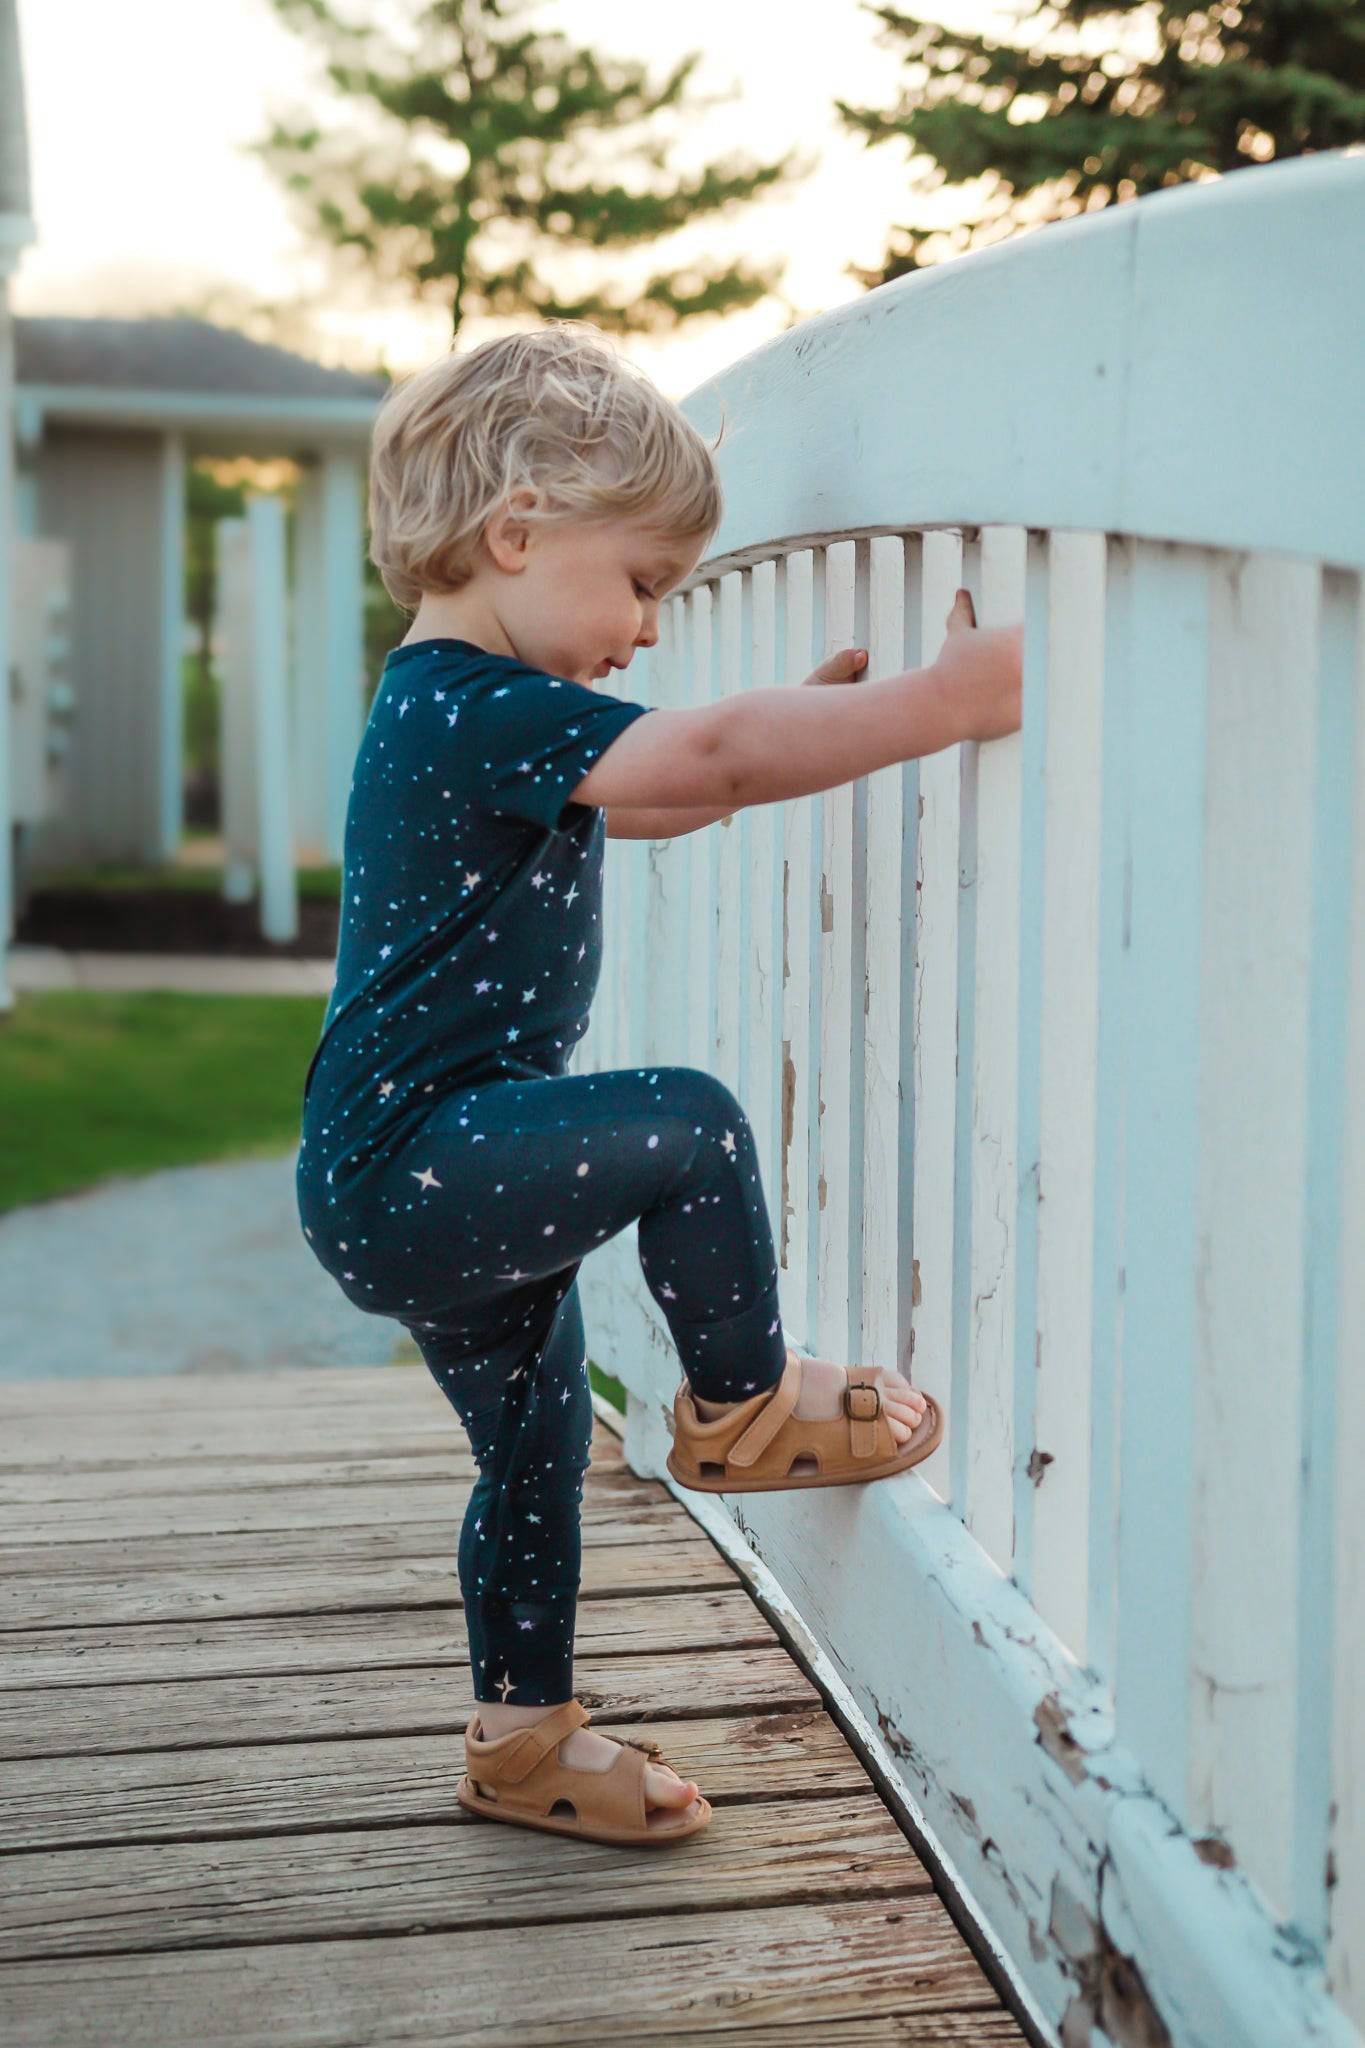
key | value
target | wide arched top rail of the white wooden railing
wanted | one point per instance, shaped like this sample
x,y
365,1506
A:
x,y
1186,368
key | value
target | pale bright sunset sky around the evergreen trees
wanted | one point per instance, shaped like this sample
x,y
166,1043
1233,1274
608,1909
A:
x,y
144,198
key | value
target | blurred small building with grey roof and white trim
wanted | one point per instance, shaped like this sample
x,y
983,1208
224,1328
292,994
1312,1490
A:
x,y
107,415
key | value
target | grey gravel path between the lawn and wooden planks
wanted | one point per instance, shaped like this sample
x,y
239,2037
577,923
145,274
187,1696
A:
x,y
202,1269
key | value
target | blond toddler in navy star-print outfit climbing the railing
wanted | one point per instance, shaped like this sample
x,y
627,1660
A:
x,y
533,501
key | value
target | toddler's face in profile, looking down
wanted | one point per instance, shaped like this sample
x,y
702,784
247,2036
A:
x,y
586,597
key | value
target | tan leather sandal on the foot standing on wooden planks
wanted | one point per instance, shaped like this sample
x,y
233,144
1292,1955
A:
x,y
521,1779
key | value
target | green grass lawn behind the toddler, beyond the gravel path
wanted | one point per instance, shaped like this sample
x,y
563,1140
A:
x,y
97,1084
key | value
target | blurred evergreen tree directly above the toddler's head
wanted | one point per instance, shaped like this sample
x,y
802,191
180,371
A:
x,y
509,155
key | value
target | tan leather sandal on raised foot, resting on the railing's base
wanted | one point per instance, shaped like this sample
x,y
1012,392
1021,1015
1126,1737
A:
x,y
754,1447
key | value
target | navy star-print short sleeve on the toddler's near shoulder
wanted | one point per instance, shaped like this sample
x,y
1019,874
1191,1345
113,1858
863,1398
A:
x,y
527,740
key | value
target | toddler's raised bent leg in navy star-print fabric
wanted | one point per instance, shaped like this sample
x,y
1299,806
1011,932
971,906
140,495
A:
x,y
531,1177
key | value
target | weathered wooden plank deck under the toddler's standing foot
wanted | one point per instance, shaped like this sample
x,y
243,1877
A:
x,y
234,1691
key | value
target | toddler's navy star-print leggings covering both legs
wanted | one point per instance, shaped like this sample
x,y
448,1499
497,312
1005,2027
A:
x,y
531,1179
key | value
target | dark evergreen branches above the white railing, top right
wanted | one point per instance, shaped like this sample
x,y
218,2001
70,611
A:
x,y
1231,85
